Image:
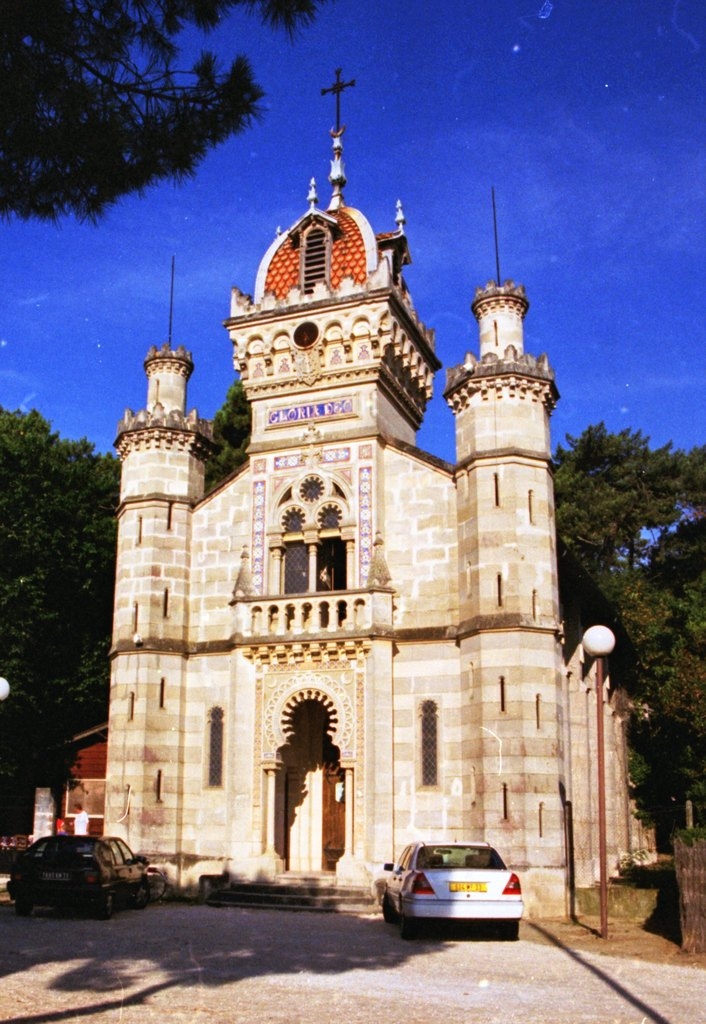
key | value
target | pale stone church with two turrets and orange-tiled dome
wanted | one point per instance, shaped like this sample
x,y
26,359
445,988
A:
x,y
351,644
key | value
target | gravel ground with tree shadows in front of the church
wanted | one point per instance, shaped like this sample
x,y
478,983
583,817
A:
x,y
183,963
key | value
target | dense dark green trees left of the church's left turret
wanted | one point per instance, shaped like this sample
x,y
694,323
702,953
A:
x,y
58,535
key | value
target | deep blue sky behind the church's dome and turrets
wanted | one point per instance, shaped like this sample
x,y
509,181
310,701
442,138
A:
x,y
588,118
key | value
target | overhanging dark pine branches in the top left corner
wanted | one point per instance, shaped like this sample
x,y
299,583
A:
x,y
94,107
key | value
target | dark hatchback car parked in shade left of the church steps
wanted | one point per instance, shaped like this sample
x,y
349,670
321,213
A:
x,y
87,872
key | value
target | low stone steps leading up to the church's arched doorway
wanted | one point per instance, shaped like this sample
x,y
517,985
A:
x,y
297,893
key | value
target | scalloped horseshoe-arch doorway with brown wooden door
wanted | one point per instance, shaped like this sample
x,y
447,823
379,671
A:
x,y
311,799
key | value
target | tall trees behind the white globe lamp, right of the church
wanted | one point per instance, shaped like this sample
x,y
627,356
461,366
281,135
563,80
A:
x,y
637,519
